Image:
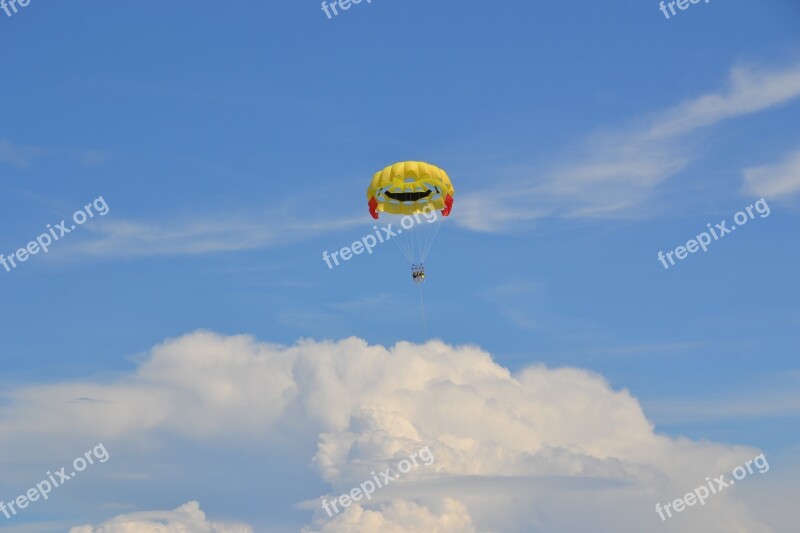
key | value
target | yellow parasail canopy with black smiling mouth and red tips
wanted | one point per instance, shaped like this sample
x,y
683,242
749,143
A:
x,y
410,187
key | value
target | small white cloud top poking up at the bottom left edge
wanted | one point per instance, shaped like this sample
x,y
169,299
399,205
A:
x,y
187,518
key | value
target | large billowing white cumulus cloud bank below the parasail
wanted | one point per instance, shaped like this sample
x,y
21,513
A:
x,y
513,451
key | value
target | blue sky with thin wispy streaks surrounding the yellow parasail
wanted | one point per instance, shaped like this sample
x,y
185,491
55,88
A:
x,y
233,145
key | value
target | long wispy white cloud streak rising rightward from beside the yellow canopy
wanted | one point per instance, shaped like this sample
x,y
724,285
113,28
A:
x,y
617,171
